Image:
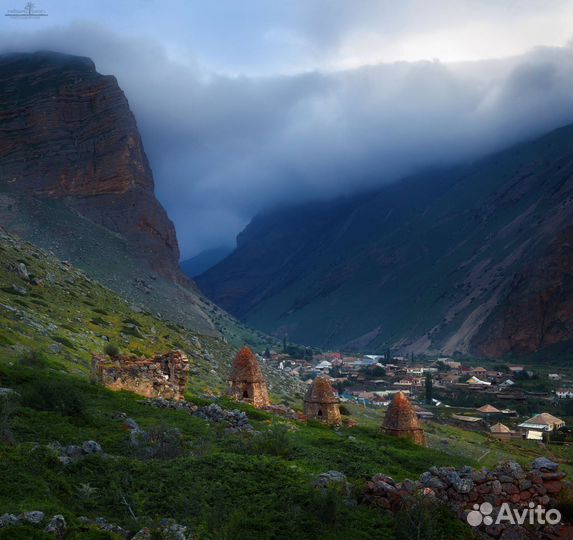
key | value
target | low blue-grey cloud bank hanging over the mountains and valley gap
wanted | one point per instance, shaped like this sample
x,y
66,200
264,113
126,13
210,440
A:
x,y
222,148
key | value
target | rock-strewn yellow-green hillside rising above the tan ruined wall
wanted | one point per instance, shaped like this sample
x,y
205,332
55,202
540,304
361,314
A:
x,y
50,306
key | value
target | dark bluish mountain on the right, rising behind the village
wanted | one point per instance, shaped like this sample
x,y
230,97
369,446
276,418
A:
x,y
475,259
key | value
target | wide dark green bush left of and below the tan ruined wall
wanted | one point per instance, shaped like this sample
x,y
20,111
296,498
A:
x,y
60,396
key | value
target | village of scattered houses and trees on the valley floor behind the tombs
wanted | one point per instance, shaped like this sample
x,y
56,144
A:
x,y
506,400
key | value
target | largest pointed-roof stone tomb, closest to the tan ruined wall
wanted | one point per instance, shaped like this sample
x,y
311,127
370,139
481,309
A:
x,y
246,381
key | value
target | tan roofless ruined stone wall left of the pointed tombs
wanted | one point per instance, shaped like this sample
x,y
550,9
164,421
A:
x,y
165,375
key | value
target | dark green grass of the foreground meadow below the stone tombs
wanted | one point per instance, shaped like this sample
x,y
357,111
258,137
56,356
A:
x,y
223,485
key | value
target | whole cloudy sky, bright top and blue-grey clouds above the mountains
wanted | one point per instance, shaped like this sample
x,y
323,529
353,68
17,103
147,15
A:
x,y
243,104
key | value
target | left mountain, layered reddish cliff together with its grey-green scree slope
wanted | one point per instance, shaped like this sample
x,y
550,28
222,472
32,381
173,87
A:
x,y
74,178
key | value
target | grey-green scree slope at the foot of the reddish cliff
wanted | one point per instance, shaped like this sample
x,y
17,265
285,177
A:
x,y
107,258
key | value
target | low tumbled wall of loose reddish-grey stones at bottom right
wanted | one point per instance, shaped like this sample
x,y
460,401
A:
x,y
463,489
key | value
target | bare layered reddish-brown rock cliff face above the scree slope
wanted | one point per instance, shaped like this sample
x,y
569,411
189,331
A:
x,y
67,133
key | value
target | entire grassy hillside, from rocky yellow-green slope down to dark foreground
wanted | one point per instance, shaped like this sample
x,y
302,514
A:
x,y
223,485
